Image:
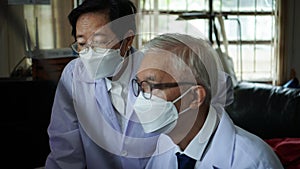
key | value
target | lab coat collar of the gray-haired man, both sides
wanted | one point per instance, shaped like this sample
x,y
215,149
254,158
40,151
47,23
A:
x,y
220,151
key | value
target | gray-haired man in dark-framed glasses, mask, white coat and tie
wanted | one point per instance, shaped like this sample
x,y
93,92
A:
x,y
177,95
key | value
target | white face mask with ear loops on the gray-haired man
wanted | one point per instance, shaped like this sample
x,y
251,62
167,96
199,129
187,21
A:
x,y
157,114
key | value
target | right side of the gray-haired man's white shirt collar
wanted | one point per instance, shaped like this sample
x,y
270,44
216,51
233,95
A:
x,y
198,145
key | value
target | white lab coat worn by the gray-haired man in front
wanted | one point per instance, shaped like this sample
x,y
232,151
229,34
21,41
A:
x,y
231,148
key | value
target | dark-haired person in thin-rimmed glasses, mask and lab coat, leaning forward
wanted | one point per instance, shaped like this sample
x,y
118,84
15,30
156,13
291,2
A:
x,y
90,126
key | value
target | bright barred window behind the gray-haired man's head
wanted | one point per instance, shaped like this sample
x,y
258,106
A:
x,y
250,29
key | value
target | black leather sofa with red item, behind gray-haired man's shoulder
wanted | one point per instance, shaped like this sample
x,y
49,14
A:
x,y
272,113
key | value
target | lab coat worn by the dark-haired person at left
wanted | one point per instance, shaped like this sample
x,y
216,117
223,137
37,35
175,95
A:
x,y
84,130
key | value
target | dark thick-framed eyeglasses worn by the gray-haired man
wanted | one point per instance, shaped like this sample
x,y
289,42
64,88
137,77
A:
x,y
147,87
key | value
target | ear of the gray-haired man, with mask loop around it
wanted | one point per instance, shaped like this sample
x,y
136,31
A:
x,y
199,96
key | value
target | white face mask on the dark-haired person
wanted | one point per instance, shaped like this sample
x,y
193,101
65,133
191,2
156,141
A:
x,y
103,63
